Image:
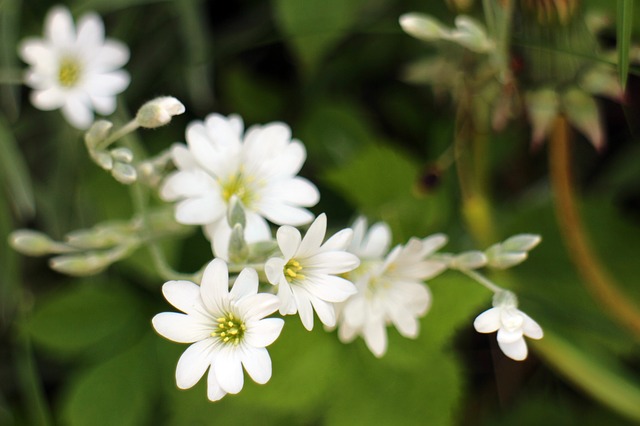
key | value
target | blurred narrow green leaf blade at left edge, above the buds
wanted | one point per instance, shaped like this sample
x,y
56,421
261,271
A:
x,y
14,173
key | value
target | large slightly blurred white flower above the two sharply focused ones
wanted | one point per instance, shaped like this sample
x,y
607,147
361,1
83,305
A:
x,y
259,168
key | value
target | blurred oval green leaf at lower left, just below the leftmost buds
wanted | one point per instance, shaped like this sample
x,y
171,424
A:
x,y
82,318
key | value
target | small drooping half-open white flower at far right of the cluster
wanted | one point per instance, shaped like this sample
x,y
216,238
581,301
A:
x,y
510,323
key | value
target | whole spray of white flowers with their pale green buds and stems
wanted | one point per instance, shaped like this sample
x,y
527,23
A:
x,y
242,187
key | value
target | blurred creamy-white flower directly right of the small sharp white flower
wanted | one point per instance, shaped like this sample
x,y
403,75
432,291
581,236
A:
x,y
390,289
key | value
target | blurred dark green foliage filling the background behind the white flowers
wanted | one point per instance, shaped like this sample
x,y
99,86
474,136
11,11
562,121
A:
x,y
330,69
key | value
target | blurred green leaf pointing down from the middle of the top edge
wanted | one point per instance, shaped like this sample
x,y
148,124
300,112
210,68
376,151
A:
x,y
313,27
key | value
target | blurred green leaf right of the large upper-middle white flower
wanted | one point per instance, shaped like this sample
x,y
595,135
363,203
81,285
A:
x,y
381,183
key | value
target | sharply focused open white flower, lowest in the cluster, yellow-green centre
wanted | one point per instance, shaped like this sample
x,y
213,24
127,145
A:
x,y
227,329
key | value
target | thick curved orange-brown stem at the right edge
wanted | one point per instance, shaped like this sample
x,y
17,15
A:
x,y
597,280
